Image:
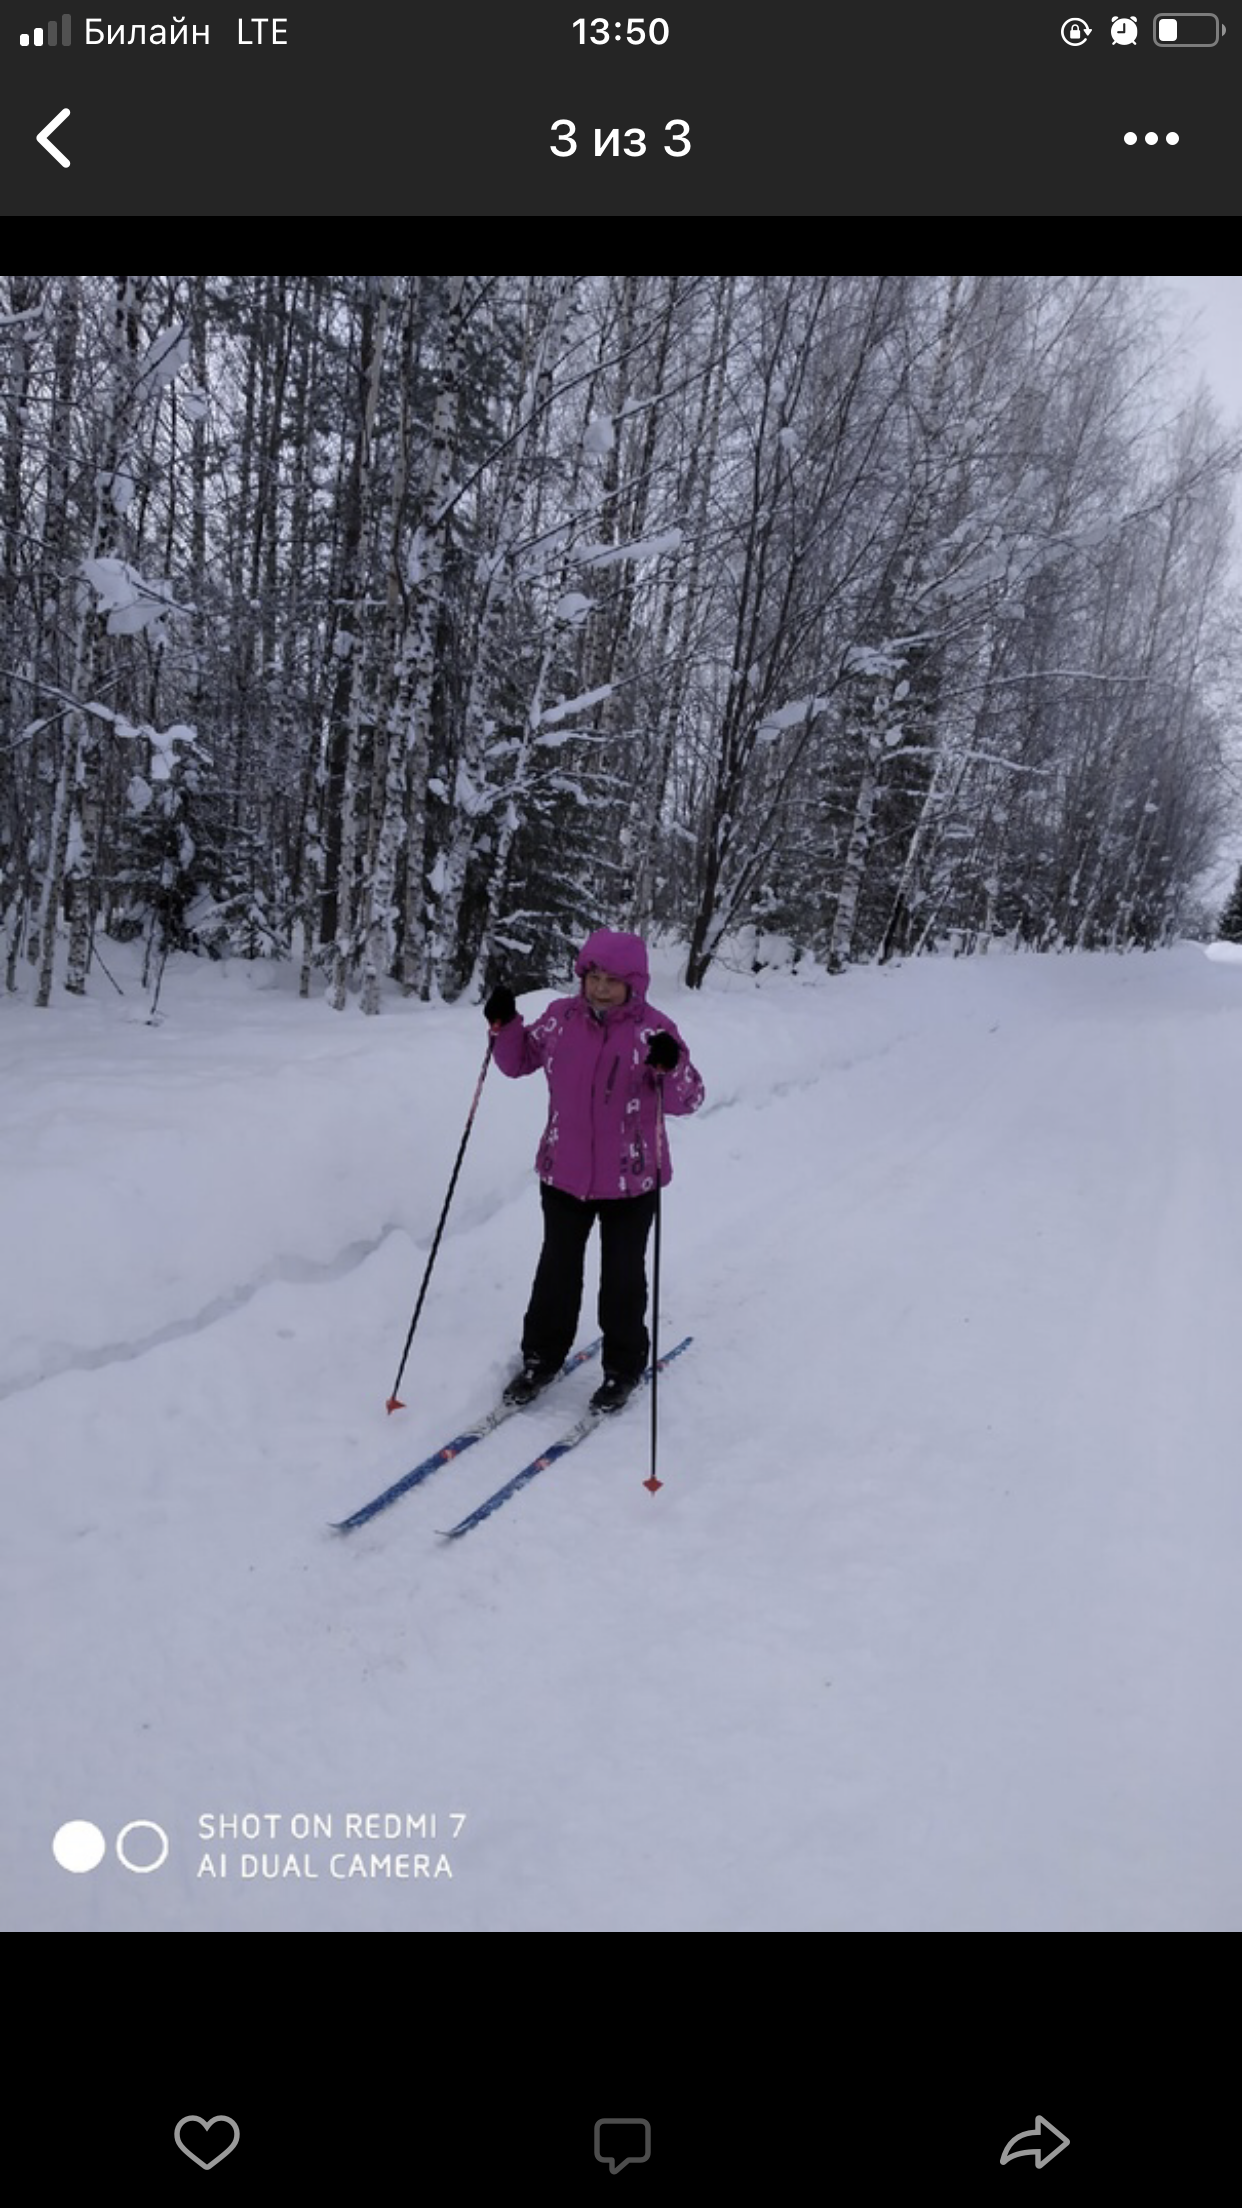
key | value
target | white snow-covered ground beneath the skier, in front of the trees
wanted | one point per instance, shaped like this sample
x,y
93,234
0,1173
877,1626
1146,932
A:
x,y
934,1622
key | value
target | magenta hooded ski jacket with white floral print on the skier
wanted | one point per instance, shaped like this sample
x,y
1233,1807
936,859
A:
x,y
602,1094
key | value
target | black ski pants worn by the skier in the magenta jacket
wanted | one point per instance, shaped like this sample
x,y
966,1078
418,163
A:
x,y
556,1299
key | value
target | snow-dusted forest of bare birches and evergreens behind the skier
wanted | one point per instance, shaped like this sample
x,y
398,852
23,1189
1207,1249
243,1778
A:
x,y
414,626
